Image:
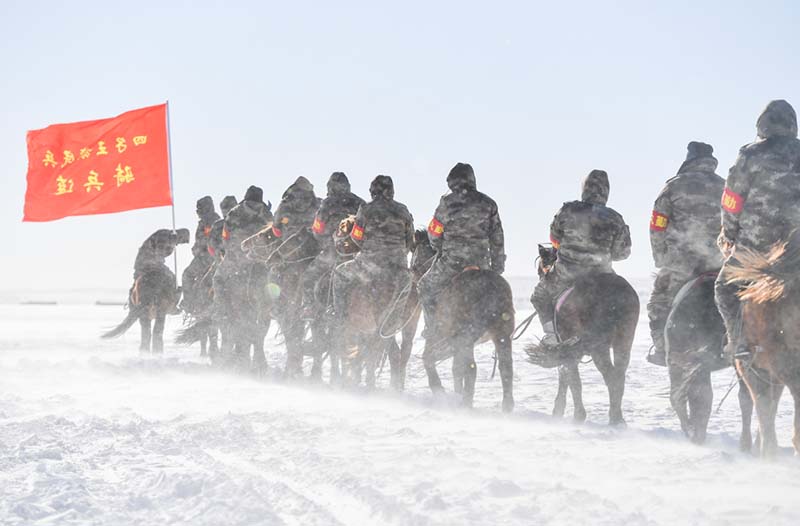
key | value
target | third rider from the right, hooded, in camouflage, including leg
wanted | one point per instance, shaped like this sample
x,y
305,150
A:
x,y
588,236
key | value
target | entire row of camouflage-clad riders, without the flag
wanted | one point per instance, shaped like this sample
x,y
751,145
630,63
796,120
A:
x,y
757,204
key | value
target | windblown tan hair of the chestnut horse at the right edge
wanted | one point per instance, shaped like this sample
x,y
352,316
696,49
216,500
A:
x,y
765,277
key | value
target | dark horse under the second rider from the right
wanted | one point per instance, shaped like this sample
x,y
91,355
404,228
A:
x,y
694,336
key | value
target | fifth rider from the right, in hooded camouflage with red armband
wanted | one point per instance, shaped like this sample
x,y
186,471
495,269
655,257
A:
x,y
384,231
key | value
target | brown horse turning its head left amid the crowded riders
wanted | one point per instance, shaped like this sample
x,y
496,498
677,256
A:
x,y
286,260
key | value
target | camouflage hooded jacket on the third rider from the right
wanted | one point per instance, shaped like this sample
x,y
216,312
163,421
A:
x,y
587,232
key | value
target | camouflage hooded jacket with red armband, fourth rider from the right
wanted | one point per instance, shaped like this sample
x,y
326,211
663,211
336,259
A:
x,y
466,228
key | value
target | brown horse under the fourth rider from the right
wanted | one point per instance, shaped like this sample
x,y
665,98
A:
x,y
478,306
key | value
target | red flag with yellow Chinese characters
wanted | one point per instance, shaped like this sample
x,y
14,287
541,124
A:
x,y
99,167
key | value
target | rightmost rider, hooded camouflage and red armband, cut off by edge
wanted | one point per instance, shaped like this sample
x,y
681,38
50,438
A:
x,y
759,205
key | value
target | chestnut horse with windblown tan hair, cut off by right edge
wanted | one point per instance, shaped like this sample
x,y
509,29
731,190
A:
x,y
770,295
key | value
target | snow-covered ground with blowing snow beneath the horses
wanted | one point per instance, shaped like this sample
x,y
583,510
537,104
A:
x,y
93,433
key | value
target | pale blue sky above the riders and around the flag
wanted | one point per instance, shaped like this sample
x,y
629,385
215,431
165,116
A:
x,y
533,94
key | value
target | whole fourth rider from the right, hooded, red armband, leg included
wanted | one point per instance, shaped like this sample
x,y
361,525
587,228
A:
x,y
467,233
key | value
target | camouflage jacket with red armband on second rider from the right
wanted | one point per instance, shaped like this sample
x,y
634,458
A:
x,y
685,222
